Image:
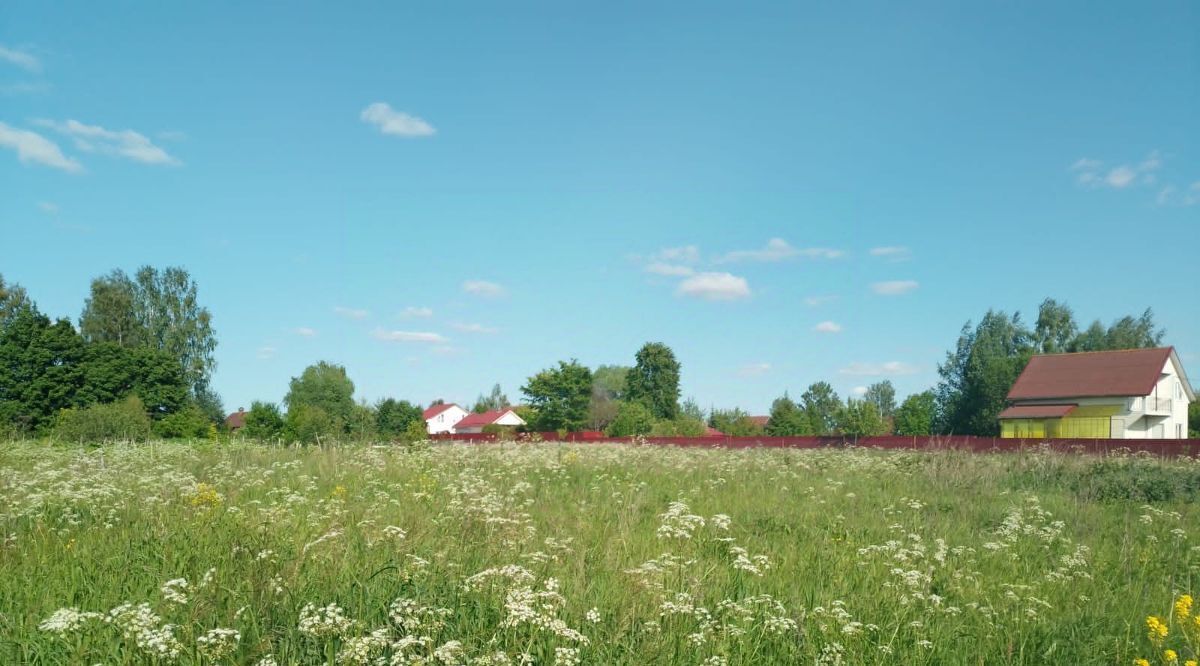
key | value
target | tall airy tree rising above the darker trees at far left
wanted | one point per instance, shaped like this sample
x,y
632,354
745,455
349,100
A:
x,y
157,309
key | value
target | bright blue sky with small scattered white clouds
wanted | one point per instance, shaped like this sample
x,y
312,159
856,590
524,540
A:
x,y
445,196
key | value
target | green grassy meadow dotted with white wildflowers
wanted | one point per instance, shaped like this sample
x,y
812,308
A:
x,y
555,554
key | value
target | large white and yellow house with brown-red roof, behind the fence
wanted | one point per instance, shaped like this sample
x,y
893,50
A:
x,y
1132,394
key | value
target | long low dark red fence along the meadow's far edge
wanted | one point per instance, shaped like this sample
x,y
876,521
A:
x,y
968,443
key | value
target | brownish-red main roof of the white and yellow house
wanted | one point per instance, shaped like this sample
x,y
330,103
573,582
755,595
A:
x,y
1127,373
